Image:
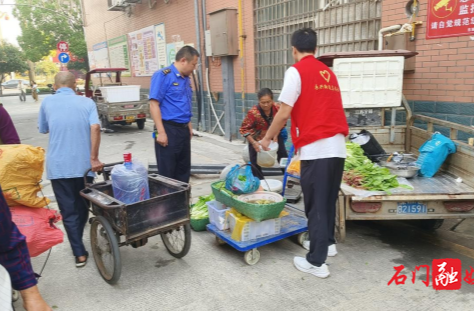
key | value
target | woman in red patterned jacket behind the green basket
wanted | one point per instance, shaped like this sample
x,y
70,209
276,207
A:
x,y
255,126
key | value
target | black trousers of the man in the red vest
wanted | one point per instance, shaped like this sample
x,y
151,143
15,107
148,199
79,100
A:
x,y
320,182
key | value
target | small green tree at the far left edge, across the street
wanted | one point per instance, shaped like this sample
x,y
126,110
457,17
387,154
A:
x,y
12,59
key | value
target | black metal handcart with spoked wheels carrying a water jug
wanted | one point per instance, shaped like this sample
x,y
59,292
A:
x,y
116,224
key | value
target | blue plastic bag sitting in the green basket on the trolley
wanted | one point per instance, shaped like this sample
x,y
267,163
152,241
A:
x,y
240,180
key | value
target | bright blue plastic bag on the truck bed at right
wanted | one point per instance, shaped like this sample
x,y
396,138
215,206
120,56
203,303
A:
x,y
433,153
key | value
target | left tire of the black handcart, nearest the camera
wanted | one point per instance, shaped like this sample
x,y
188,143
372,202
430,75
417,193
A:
x,y
110,235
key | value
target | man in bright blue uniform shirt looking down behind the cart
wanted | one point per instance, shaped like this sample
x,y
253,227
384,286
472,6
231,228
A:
x,y
171,110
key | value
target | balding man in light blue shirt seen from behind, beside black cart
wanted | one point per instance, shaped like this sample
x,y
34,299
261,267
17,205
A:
x,y
74,138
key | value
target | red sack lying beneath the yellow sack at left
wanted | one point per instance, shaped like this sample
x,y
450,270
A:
x,y
37,225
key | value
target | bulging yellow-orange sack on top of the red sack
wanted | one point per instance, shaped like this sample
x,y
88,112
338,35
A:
x,y
21,170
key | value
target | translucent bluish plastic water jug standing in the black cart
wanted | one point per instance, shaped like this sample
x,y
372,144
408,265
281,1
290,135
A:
x,y
130,185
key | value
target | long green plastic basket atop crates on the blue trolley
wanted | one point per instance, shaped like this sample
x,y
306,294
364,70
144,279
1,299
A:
x,y
253,211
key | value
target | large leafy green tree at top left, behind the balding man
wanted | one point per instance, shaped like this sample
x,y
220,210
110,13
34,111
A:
x,y
45,23
